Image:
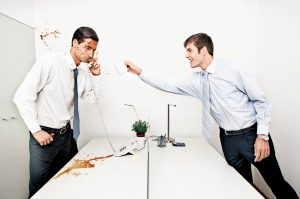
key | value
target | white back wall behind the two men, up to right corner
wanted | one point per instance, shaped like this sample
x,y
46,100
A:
x,y
152,34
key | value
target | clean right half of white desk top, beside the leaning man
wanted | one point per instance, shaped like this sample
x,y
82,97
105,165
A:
x,y
194,171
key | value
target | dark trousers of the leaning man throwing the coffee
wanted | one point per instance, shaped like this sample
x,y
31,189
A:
x,y
239,153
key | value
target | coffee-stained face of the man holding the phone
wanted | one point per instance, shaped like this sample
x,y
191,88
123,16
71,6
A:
x,y
84,51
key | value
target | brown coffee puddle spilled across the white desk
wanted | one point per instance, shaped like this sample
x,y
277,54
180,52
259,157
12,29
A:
x,y
80,164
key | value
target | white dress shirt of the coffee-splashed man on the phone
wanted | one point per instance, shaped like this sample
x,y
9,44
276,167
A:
x,y
46,96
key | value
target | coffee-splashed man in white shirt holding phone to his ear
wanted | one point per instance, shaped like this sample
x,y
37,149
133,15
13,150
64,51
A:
x,y
45,101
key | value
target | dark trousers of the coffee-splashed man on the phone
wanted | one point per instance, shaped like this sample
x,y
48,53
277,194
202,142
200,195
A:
x,y
46,161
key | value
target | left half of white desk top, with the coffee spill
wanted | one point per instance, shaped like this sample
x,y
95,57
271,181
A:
x,y
114,177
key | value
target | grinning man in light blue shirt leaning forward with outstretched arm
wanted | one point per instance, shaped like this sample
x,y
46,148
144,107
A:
x,y
238,105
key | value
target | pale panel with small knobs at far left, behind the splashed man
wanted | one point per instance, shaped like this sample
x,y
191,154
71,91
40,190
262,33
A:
x,y
17,54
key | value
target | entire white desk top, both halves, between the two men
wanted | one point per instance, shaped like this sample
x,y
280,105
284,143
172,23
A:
x,y
195,171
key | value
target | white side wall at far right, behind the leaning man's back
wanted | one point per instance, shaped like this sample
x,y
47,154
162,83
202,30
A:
x,y
279,60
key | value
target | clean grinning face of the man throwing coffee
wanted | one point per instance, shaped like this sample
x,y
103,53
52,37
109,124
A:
x,y
196,58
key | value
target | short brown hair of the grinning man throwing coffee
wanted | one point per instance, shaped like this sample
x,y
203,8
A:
x,y
200,40
